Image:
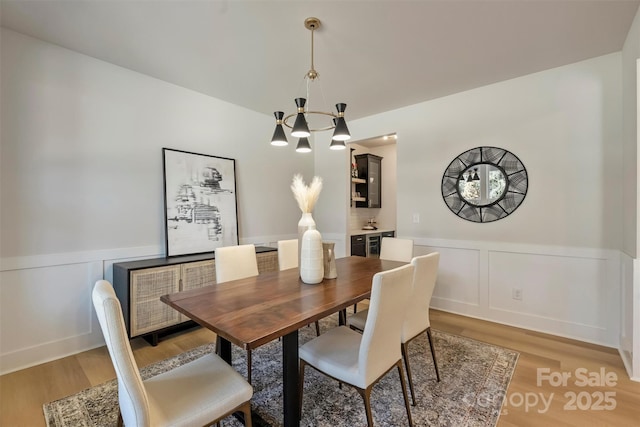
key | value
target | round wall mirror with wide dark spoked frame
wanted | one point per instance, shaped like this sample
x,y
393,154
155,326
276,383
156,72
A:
x,y
484,184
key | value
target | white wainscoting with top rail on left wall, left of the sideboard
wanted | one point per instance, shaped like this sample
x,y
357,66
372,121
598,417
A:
x,y
45,304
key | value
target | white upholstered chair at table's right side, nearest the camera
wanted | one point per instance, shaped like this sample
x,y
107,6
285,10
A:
x,y
361,360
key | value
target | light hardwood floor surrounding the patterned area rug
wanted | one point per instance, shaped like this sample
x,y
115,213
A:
x,y
24,392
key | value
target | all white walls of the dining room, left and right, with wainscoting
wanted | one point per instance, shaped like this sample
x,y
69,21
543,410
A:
x,y
81,188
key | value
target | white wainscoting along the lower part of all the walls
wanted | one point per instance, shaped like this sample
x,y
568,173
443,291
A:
x,y
46,311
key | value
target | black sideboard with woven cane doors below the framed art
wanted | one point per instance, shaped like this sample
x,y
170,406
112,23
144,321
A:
x,y
140,284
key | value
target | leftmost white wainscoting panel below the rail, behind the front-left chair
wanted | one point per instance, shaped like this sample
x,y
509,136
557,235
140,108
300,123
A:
x,y
46,313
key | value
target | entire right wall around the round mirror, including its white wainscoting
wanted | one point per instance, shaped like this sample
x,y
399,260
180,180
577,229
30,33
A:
x,y
561,246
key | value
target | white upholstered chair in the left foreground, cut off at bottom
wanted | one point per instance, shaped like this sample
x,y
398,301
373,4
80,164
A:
x,y
200,392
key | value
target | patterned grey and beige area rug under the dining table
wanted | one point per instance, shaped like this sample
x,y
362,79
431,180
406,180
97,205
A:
x,y
474,381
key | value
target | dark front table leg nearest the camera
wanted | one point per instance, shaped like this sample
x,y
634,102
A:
x,y
290,378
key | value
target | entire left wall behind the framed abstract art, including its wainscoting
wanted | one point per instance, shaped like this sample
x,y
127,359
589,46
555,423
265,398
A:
x,y
81,184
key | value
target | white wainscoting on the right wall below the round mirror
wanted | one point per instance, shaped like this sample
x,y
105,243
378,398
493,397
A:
x,y
570,292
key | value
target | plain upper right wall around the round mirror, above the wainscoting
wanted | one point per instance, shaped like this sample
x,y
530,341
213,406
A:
x,y
565,126
